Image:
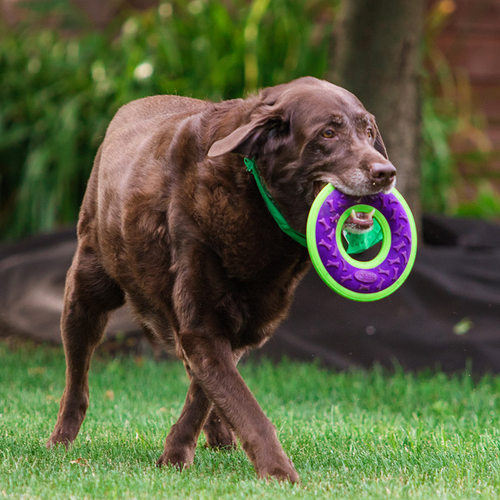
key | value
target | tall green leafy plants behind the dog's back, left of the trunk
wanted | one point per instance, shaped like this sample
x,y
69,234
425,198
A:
x,y
58,92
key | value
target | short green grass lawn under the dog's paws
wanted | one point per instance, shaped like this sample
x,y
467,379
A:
x,y
351,435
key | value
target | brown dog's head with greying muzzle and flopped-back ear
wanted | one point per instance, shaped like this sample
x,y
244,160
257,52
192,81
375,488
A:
x,y
307,133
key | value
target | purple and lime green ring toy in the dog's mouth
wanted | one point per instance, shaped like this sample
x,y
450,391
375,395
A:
x,y
362,281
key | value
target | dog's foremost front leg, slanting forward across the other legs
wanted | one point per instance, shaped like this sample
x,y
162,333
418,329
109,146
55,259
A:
x,y
211,362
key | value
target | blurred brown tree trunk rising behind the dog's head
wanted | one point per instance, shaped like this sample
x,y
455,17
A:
x,y
376,57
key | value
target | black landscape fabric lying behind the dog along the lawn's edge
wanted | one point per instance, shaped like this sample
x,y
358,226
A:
x,y
446,315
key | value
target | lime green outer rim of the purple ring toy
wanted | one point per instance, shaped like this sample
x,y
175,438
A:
x,y
323,273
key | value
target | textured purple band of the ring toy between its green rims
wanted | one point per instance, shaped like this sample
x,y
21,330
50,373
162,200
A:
x,y
363,280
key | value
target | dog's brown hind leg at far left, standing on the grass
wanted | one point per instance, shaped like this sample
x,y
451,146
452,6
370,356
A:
x,y
89,296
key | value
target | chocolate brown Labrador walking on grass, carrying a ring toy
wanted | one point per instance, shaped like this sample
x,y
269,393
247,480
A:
x,y
173,223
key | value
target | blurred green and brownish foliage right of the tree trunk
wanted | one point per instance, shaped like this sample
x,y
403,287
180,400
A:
x,y
448,115
